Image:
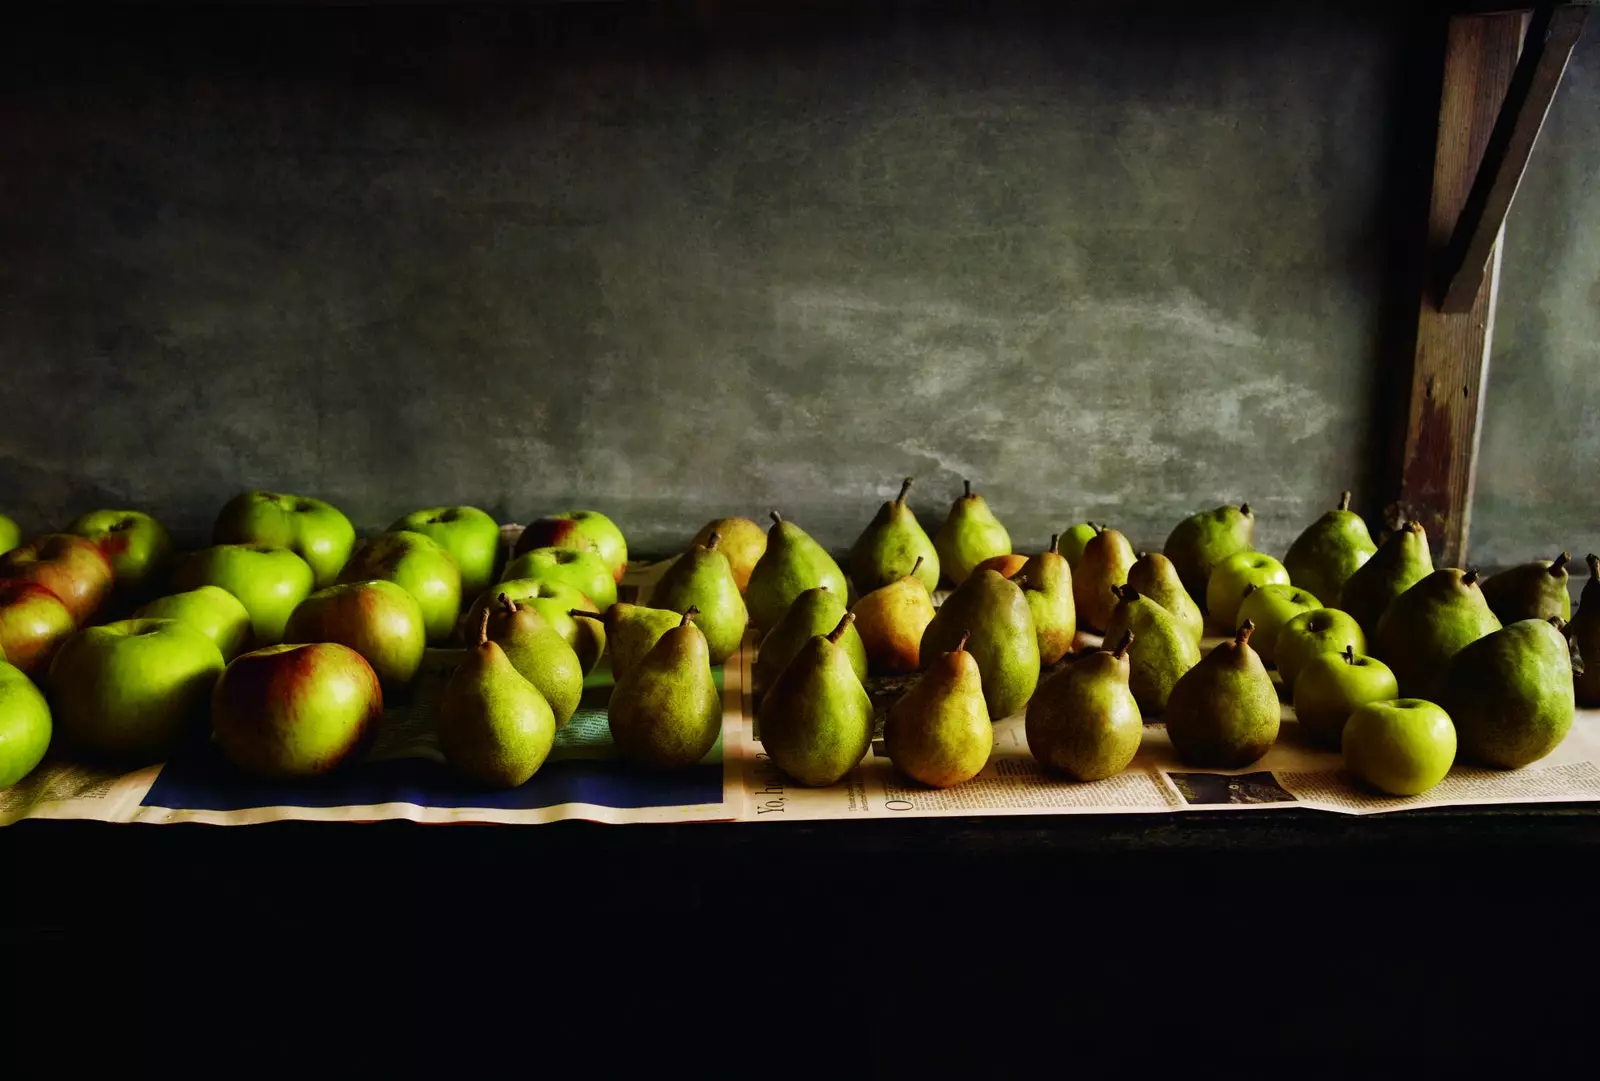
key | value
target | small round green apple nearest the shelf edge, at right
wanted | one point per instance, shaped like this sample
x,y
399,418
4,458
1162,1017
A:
x,y
1401,748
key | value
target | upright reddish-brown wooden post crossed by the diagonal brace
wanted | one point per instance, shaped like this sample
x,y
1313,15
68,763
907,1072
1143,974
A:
x,y
1450,361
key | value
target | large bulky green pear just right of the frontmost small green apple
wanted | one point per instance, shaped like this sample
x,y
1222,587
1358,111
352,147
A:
x,y
1511,695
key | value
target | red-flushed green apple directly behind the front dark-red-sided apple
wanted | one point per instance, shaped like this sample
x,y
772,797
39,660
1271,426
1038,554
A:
x,y
377,620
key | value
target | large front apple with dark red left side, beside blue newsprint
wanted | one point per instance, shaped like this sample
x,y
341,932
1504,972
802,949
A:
x,y
295,711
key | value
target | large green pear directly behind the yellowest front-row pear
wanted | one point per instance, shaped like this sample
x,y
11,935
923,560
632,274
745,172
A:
x,y
1002,639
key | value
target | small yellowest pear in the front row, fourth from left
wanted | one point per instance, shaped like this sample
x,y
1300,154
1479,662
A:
x,y
940,733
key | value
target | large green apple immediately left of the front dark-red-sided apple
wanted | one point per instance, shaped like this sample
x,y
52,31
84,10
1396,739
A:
x,y
134,688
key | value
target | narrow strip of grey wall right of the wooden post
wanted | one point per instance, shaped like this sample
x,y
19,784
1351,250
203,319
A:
x,y
1542,436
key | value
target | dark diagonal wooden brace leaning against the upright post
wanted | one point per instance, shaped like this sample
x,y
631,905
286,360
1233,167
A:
x,y
1545,55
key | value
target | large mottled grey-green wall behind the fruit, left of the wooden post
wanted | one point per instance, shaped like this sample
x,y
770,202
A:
x,y
1113,269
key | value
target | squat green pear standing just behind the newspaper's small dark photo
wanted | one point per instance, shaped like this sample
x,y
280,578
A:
x,y
1225,712
